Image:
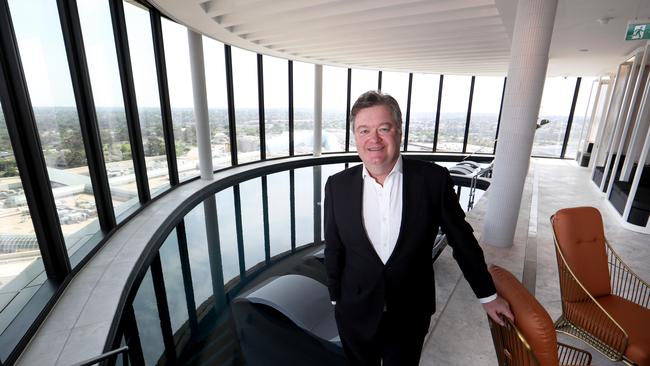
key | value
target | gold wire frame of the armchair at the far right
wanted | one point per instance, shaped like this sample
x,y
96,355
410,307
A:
x,y
568,327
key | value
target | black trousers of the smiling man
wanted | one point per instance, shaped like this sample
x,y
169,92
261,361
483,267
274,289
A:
x,y
397,343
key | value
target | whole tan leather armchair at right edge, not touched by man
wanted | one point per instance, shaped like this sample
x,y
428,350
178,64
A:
x,y
603,302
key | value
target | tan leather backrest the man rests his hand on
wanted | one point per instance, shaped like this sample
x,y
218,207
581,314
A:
x,y
530,317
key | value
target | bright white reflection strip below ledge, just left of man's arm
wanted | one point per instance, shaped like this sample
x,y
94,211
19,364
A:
x,y
304,206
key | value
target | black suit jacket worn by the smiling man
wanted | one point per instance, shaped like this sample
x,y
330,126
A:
x,y
360,283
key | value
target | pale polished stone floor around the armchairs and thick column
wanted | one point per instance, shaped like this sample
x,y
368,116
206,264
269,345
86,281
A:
x,y
459,333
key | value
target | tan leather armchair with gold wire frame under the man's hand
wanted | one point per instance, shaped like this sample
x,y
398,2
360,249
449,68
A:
x,y
531,338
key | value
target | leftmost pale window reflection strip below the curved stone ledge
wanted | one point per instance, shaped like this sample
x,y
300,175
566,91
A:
x,y
148,321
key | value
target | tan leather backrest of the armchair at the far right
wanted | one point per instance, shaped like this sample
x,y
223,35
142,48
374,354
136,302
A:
x,y
581,238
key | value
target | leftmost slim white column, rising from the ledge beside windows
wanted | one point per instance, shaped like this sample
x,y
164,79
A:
x,y
200,104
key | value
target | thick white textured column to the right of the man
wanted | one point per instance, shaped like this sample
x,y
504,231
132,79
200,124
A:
x,y
526,74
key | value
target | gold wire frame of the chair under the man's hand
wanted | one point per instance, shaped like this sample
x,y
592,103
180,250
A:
x,y
506,356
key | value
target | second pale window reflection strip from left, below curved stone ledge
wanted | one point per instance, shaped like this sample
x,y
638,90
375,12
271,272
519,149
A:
x,y
173,277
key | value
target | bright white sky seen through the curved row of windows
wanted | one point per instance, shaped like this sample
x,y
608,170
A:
x,y
45,64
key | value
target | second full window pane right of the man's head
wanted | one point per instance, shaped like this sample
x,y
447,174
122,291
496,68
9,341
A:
x,y
453,113
